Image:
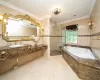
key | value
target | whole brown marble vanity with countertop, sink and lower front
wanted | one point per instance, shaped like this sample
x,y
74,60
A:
x,y
16,55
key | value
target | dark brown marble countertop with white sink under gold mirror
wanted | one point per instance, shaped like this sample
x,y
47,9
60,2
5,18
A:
x,y
15,51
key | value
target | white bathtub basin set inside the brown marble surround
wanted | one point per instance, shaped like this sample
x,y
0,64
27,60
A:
x,y
80,52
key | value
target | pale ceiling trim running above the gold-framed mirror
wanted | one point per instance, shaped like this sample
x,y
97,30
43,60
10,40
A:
x,y
17,9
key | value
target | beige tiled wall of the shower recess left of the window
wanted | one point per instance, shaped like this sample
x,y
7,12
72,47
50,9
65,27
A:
x,y
56,36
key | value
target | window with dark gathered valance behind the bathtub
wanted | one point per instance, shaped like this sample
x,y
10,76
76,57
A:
x,y
70,34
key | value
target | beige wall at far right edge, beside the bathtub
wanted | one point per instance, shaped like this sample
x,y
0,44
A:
x,y
95,17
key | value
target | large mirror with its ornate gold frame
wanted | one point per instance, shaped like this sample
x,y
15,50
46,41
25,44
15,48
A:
x,y
19,28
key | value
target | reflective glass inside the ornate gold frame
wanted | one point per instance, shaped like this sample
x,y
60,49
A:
x,y
21,27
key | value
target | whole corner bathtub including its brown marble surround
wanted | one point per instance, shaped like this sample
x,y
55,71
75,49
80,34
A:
x,y
82,61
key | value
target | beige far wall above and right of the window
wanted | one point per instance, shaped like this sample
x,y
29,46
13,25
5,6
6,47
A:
x,y
83,29
